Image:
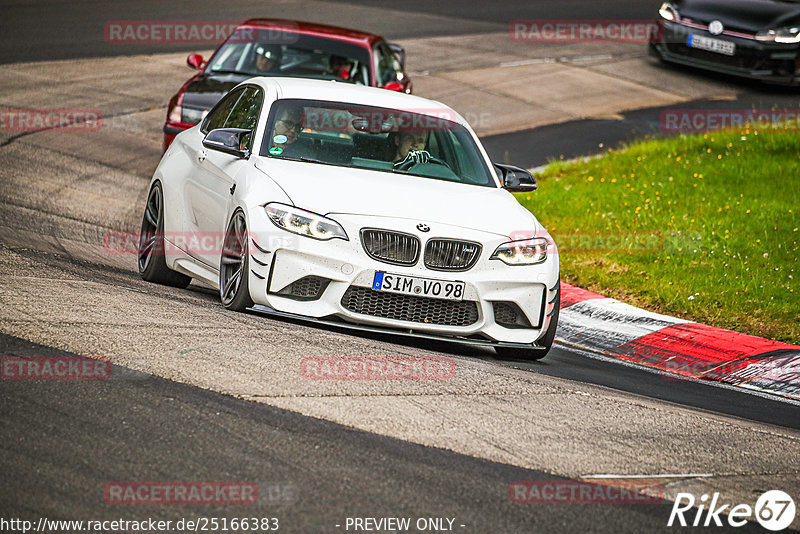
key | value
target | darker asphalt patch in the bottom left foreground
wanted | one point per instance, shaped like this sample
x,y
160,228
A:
x,y
148,428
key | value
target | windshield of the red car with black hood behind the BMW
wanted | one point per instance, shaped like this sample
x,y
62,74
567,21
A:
x,y
255,52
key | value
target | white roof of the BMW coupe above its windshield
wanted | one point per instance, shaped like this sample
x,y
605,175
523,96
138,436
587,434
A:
x,y
310,89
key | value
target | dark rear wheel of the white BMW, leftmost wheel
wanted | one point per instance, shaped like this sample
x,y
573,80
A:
x,y
151,252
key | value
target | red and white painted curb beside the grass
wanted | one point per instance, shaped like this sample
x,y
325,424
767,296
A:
x,y
610,327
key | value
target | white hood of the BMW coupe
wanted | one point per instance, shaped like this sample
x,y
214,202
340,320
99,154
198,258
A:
x,y
331,190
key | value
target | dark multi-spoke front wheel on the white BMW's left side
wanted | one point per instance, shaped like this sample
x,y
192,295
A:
x,y
234,265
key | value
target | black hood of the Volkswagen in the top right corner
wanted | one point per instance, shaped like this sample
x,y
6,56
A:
x,y
749,15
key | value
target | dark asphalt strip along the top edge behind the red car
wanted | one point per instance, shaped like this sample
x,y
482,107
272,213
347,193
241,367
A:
x,y
63,29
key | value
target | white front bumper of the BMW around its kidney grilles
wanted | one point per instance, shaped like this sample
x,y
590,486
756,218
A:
x,y
278,259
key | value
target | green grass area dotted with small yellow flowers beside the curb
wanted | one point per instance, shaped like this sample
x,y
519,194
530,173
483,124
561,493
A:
x,y
722,212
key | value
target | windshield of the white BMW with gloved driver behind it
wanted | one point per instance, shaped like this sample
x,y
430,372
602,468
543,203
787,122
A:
x,y
366,137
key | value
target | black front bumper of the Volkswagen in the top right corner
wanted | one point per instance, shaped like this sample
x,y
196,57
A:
x,y
768,62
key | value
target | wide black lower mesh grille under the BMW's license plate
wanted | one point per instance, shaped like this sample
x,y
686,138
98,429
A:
x,y
423,310
